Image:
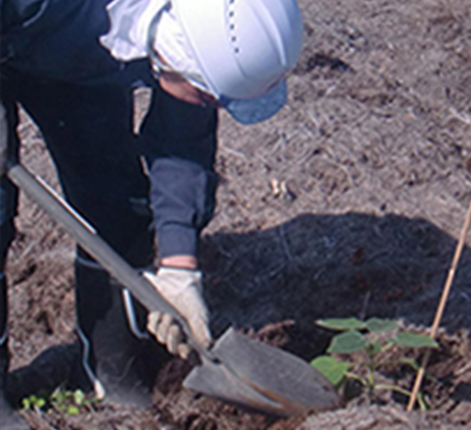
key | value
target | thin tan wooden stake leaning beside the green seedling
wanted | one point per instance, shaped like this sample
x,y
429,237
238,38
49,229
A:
x,y
441,307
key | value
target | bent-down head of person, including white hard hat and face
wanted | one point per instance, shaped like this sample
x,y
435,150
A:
x,y
236,52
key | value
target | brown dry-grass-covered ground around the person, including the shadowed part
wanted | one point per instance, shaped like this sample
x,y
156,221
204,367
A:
x,y
348,203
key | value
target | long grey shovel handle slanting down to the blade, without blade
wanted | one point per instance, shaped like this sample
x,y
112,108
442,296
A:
x,y
87,237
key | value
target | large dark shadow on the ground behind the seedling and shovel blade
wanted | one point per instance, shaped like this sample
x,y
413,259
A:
x,y
319,266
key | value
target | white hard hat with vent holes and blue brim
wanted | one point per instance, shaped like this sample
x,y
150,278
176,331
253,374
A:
x,y
244,49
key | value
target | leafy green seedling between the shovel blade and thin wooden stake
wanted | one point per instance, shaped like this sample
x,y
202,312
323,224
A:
x,y
368,336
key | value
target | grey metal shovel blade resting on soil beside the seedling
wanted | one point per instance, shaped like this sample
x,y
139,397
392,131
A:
x,y
263,378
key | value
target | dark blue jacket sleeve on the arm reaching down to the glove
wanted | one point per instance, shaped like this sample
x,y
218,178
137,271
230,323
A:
x,y
180,144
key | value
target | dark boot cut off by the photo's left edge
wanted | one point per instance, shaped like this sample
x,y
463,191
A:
x,y
9,419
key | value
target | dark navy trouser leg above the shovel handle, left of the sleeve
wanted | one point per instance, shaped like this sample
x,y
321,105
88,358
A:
x,y
88,132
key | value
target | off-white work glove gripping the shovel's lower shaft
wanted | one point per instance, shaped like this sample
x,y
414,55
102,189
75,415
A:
x,y
182,288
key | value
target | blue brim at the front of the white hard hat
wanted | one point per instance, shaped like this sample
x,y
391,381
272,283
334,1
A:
x,y
252,111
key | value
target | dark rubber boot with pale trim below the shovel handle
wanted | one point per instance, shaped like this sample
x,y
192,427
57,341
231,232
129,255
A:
x,y
119,359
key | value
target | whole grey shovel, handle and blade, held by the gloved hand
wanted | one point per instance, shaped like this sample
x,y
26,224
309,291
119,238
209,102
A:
x,y
236,369
